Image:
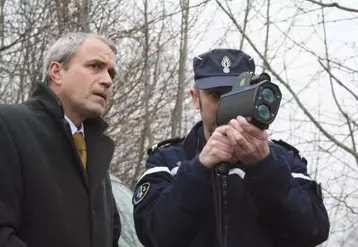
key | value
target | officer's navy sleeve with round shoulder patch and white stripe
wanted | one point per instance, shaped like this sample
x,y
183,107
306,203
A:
x,y
168,209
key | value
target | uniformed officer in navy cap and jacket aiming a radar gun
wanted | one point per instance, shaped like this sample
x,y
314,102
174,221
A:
x,y
268,199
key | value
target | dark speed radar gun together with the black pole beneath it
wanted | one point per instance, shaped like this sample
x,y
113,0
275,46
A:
x,y
258,99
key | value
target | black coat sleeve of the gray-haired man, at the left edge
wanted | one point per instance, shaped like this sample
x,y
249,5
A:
x,y
10,190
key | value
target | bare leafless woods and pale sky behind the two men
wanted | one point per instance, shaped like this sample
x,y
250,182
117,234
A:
x,y
156,40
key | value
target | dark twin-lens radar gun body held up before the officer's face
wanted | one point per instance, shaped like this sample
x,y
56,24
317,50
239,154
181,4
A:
x,y
254,97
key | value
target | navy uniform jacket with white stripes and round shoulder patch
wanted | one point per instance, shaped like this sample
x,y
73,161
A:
x,y
272,204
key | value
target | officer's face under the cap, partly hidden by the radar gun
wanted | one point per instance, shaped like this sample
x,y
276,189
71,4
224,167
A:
x,y
207,102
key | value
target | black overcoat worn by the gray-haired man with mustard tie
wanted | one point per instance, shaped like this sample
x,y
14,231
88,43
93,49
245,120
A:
x,y
47,199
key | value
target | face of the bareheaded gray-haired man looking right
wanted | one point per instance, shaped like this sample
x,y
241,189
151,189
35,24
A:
x,y
85,86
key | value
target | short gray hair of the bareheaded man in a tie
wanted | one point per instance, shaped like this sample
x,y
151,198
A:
x,y
65,47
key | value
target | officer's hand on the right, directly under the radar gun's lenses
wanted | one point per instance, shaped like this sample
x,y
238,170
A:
x,y
250,144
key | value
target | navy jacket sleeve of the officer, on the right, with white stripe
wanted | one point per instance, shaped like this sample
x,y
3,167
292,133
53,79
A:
x,y
288,199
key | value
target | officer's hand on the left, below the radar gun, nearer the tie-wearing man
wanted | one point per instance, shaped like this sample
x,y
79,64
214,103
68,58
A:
x,y
218,149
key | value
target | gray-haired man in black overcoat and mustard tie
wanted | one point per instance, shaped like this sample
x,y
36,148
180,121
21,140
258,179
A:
x,y
55,189
